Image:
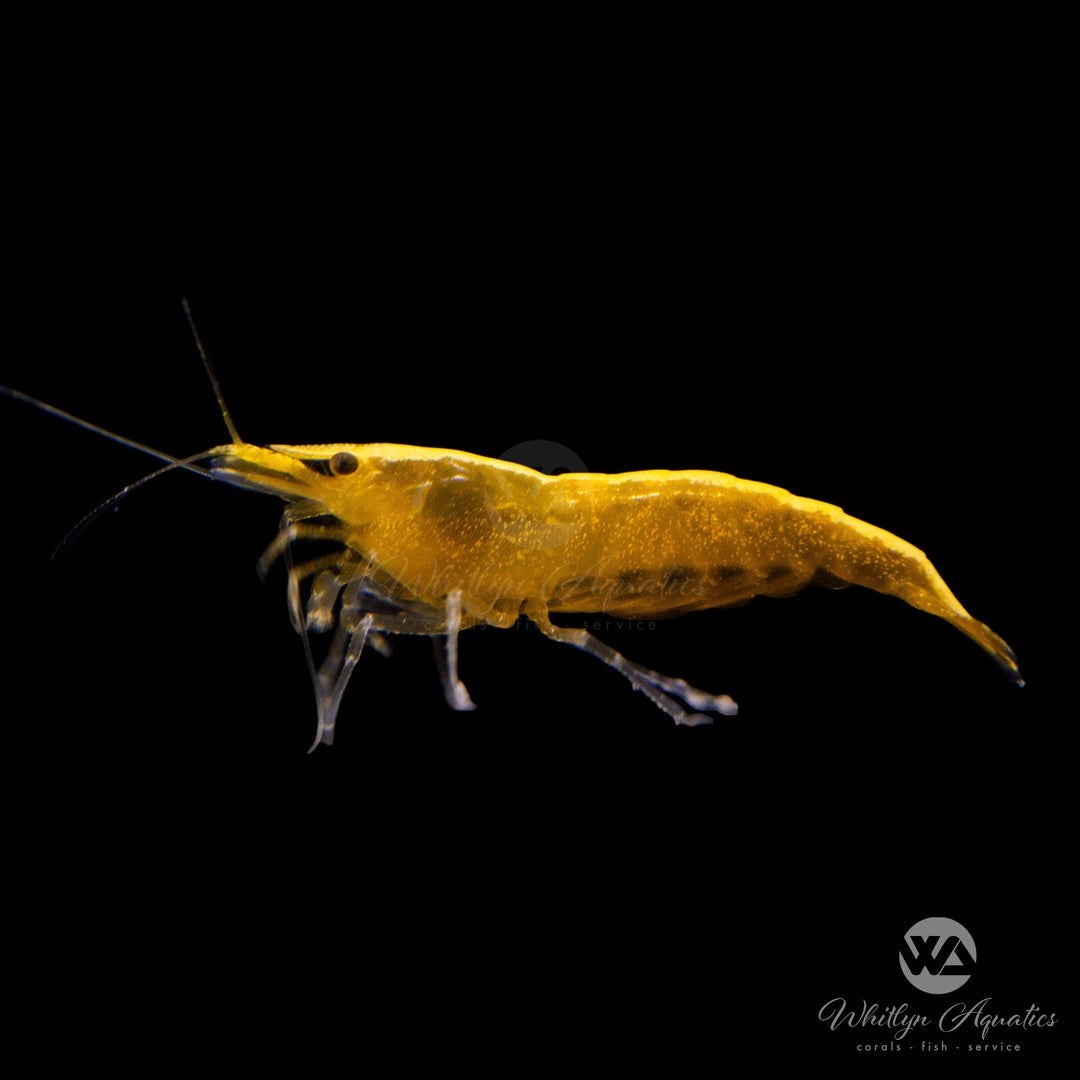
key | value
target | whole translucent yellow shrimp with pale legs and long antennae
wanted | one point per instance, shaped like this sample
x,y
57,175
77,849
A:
x,y
427,542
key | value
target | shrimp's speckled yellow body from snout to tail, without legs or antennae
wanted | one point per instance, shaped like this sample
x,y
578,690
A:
x,y
511,541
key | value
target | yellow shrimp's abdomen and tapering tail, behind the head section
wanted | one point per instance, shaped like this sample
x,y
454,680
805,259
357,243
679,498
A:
x,y
695,541
